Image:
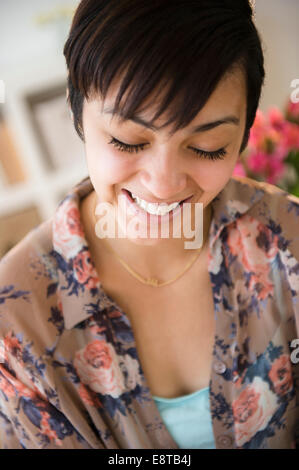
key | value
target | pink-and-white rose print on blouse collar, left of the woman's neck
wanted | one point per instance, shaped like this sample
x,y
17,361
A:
x,y
67,229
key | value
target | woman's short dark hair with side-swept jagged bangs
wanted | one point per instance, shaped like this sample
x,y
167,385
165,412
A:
x,y
184,47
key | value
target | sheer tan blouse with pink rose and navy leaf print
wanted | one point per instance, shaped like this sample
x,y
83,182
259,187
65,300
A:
x,y
70,375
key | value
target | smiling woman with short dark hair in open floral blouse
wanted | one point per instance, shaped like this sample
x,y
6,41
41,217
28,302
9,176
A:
x,y
135,341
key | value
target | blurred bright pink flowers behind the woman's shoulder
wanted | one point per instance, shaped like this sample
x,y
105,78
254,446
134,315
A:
x,y
272,154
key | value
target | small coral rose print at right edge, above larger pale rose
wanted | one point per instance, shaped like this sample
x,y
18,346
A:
x,y
281,375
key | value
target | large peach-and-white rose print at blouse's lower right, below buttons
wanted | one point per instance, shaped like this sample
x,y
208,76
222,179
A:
x,y
253,410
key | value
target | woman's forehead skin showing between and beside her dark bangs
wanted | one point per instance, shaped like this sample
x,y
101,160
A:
x,y
229,97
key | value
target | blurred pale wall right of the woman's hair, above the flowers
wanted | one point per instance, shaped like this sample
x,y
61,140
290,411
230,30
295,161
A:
x,y
278,23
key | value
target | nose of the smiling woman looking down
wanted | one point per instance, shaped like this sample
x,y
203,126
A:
x,y
164,176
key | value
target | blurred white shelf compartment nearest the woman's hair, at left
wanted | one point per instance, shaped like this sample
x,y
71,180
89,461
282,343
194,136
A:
x,y
53,127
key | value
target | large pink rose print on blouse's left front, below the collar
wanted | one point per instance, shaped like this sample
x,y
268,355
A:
x,y
97,365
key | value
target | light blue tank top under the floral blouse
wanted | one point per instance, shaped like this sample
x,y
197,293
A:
x,y
188,419
